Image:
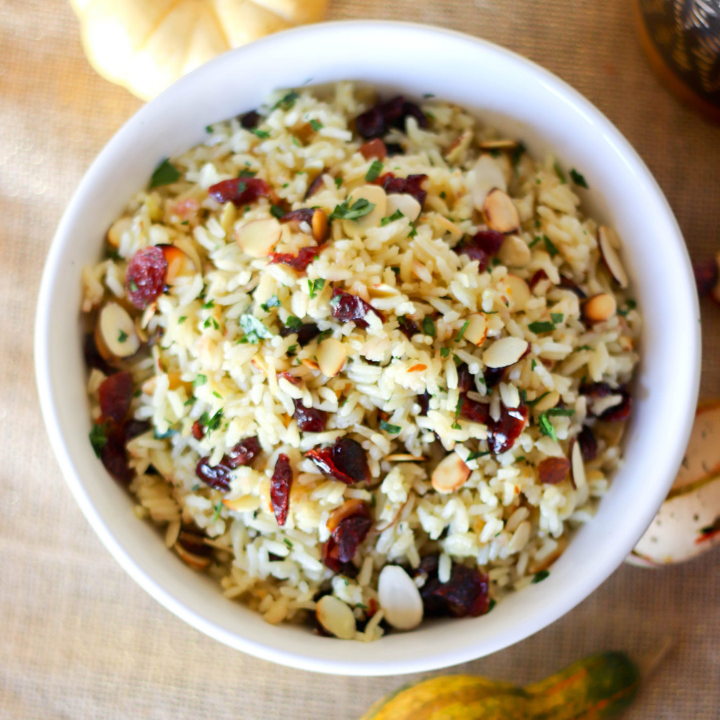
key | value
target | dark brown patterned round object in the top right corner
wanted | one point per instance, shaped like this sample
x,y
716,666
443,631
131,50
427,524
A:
x,y
682,41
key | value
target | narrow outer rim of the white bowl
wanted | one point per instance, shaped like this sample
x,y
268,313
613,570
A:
x,y
50,414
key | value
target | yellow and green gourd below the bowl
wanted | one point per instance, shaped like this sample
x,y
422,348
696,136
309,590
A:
x,y
600,686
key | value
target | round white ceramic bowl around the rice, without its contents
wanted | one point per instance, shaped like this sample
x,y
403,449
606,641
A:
x,y
509,92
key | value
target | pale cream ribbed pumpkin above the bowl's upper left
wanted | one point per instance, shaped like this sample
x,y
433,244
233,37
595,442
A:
x,y
145,45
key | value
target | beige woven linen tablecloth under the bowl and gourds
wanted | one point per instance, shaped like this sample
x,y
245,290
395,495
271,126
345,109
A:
x,y
78,638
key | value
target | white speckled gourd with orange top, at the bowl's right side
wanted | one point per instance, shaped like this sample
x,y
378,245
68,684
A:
x,y
688,523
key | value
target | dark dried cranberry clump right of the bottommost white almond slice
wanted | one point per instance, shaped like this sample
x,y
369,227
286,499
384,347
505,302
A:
x,y
465,594
